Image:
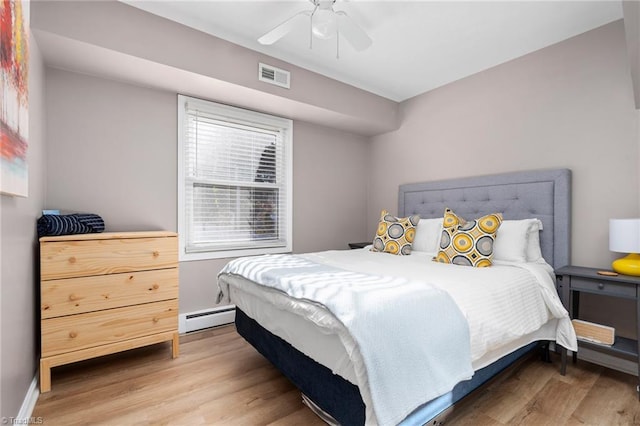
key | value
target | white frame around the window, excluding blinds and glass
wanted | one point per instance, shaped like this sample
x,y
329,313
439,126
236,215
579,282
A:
x,y
242,117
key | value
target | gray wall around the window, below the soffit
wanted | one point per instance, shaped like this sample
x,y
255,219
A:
x,y
120,161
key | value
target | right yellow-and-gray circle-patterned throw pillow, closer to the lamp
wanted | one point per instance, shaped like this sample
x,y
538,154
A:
x,y
468,243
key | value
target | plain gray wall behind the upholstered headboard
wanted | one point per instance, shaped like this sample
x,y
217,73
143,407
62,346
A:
x,y
569,105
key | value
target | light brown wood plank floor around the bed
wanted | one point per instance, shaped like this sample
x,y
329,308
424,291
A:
x,y
220,379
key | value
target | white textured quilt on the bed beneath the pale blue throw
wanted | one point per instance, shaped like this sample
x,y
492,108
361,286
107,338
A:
x,y
501,303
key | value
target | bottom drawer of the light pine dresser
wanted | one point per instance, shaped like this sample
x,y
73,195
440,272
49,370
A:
x,y
71,333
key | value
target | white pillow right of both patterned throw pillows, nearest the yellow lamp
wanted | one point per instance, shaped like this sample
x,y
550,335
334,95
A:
x,y
518,241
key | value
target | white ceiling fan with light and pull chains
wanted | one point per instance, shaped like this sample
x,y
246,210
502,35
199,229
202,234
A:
x,y
324,23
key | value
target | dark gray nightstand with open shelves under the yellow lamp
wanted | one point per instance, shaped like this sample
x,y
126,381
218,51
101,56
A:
x,y
573,280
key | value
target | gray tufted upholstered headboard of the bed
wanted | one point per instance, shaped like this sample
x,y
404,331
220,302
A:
x,y
543,194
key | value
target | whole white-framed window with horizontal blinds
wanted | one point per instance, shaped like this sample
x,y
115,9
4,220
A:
x,y
234,181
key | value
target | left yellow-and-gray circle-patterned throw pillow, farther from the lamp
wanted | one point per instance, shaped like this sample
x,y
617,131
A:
x,y
395,234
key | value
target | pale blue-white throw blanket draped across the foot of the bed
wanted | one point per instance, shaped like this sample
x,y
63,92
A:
x,y
413,340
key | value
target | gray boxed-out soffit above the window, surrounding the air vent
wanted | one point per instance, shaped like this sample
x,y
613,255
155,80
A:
x,y
150,51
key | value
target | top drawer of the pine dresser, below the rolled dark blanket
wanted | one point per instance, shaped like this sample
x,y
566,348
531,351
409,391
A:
x,y
76,258
